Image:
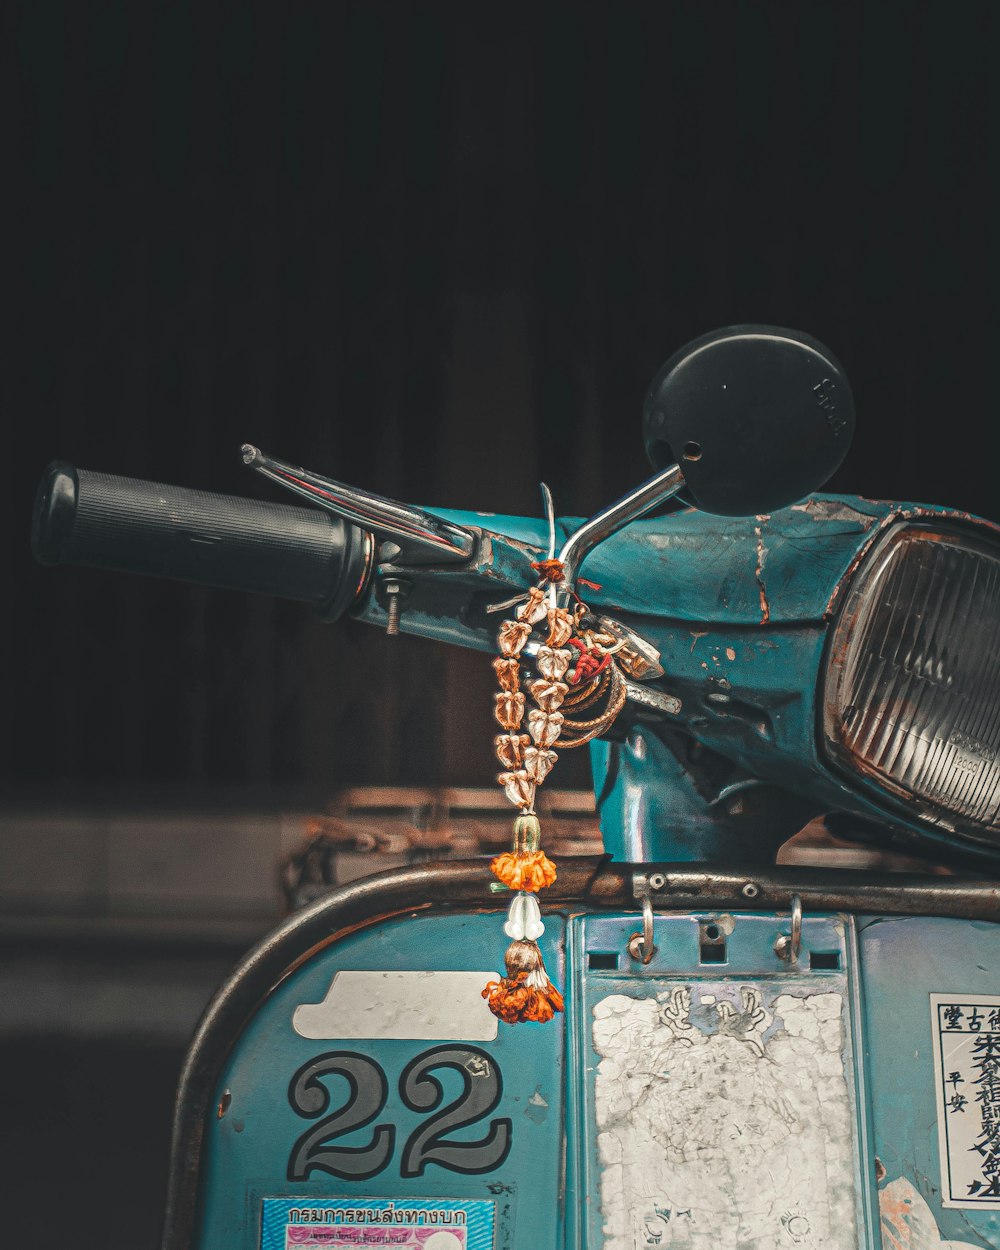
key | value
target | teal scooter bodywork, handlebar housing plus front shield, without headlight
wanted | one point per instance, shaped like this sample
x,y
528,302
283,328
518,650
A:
x,y
719,1094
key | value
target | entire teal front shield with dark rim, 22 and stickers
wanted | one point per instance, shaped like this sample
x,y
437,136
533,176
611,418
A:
x,y
348,1087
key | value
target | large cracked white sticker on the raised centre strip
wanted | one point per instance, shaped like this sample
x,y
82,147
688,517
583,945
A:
x,y
726,1117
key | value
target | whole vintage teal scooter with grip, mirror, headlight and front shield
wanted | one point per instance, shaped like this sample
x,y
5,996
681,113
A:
x,y
751,1056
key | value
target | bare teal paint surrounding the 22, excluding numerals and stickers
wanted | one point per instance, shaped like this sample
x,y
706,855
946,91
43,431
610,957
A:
x,y
247,1152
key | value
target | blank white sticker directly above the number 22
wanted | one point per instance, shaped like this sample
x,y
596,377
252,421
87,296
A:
x,y
419,1007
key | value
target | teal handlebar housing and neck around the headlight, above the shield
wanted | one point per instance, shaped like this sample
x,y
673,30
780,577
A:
x,y
741,611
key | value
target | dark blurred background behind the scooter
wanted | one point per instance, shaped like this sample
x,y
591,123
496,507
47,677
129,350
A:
x,y
437,251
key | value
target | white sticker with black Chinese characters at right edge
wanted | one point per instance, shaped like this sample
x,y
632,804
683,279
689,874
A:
x,y
967,1074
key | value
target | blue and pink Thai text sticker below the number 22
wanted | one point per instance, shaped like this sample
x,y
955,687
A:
x,y
336,1223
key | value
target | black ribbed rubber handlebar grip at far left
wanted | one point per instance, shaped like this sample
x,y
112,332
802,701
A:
x,y
193,536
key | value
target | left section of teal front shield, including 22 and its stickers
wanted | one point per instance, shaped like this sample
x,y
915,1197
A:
x,y
374,1101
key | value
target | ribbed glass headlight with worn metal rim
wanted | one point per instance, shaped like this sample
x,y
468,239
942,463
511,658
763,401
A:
x,y
913,686
